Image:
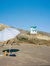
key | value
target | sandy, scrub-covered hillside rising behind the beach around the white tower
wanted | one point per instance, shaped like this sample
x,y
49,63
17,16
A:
x,y
25,37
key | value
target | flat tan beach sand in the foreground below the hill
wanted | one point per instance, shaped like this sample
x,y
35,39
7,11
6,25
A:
x,y
28,55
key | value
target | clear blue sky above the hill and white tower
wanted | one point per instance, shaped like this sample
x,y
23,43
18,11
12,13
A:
x,y
25,13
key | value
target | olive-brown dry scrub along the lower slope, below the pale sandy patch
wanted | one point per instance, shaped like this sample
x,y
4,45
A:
x,y
24,38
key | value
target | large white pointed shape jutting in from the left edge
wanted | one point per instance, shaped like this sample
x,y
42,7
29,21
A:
x,y
8,33
